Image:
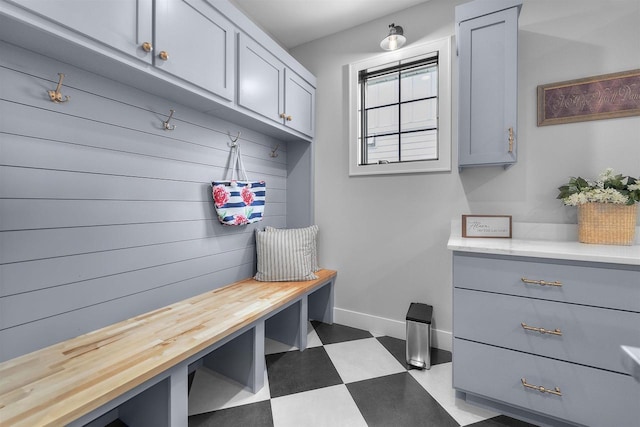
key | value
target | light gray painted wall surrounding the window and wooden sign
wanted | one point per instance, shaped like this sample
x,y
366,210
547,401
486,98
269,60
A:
x,y
387,235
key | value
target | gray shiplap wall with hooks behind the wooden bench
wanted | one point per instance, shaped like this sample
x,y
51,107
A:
x,y
104,215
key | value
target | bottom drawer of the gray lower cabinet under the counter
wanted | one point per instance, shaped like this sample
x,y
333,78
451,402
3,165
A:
x,y
590,396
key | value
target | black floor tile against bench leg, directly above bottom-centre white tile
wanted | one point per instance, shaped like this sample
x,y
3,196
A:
x,y
296,371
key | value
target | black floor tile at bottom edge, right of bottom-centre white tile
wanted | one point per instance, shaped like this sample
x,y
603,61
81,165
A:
x,y
398,400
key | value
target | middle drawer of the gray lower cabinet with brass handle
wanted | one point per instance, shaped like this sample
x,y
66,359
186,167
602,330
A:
x,y
590,335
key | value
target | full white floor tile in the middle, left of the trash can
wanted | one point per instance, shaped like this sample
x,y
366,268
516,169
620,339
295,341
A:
x,y
362,359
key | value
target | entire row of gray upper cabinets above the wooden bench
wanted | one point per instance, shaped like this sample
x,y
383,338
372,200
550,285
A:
x,y
204,54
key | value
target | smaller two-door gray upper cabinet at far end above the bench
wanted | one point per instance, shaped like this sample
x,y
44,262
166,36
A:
x,y
267,87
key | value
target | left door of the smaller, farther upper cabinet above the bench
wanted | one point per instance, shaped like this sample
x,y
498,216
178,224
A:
x,y
260,80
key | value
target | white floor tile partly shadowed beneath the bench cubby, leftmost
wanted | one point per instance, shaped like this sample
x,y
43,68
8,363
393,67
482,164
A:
x,y
211,391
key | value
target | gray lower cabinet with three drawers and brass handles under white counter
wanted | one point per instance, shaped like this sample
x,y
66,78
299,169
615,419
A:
x,y
525,323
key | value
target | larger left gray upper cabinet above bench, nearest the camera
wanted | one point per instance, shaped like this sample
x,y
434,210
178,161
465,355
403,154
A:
x,y
202,56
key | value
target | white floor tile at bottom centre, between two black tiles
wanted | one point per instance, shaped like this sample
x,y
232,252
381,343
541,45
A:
x,y
328,406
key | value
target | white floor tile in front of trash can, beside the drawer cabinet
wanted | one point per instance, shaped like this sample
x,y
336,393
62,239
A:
x,y
438,382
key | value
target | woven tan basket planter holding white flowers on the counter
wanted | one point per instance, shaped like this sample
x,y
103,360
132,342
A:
x,y
607,223
